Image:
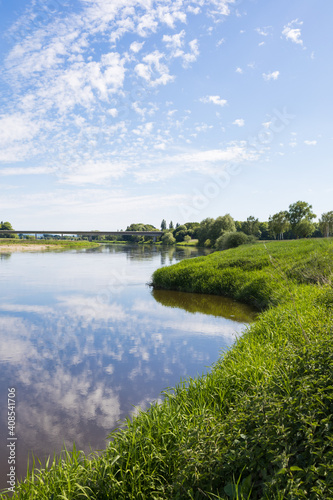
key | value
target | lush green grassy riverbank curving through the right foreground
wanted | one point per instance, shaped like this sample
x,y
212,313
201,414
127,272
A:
x,y
259,425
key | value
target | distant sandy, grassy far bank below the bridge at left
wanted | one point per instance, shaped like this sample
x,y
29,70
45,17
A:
x,y
9,245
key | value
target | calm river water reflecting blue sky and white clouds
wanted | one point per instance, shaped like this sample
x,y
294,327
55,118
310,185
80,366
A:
x,y
84,341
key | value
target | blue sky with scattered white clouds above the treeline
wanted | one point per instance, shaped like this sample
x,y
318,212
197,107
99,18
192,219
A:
x,y
123,111
